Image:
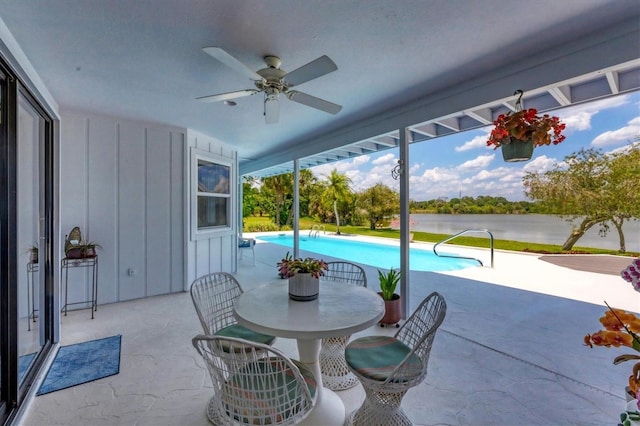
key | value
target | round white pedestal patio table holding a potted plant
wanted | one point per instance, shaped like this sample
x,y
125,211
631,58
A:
x,y
338,311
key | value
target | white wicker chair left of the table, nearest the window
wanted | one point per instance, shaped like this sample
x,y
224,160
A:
x,y
213,297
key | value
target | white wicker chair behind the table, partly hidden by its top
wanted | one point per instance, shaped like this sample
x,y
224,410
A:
x,y
335,372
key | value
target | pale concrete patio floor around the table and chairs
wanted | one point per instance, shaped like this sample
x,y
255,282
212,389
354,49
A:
x,y
509,352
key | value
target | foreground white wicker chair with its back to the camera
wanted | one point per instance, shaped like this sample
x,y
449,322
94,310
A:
x,y
255,390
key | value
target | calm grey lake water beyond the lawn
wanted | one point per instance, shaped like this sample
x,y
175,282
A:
x,y
534,228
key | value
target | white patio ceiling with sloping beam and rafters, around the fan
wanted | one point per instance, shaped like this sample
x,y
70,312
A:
x,y
436,66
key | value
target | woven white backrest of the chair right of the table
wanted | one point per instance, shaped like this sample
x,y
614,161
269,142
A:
x,y
418,333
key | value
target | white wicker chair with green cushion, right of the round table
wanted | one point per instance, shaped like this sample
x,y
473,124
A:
x,y
388,366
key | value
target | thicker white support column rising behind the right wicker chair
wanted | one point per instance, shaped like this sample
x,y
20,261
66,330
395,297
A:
x,y
404,220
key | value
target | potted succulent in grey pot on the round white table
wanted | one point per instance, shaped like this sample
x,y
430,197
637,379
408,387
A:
x,y
304,277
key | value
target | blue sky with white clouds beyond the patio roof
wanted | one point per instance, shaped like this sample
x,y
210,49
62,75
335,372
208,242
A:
x,y
462,165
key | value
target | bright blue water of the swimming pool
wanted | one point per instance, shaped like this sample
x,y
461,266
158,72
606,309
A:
x,y
378,255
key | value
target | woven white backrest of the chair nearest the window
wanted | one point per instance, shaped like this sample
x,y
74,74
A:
x,y
213,297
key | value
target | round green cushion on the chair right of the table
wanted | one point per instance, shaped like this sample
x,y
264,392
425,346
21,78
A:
x,y
375,357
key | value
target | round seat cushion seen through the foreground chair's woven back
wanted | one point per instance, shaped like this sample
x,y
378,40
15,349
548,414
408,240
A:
x,y
255,396
